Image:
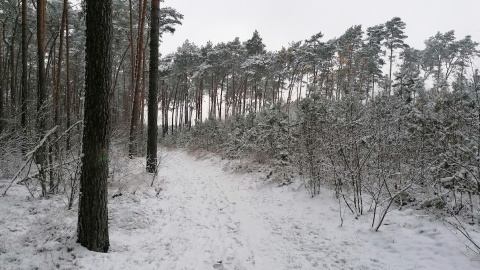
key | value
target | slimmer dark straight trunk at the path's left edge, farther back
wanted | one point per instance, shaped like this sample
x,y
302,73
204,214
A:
x,y
153,89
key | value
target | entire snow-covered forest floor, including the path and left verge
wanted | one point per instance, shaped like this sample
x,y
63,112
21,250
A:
x,y
206,218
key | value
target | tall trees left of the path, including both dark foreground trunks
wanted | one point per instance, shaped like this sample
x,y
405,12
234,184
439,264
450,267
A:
x,y
65,68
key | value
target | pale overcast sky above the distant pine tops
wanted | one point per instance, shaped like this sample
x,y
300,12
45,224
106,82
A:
x,y
282,21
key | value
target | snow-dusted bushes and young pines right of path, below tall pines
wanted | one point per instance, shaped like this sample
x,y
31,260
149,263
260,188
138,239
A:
x,y
388,151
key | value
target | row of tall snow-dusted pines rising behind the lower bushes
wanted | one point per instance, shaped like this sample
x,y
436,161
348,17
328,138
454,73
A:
x,y
237,77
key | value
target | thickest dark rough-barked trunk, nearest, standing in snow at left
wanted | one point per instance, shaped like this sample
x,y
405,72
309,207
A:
x,y
93,211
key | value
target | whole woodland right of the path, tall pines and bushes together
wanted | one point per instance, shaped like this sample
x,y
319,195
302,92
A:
x,y
375,119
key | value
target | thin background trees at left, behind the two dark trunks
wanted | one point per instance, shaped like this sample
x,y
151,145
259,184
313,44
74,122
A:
x,y
43,69
